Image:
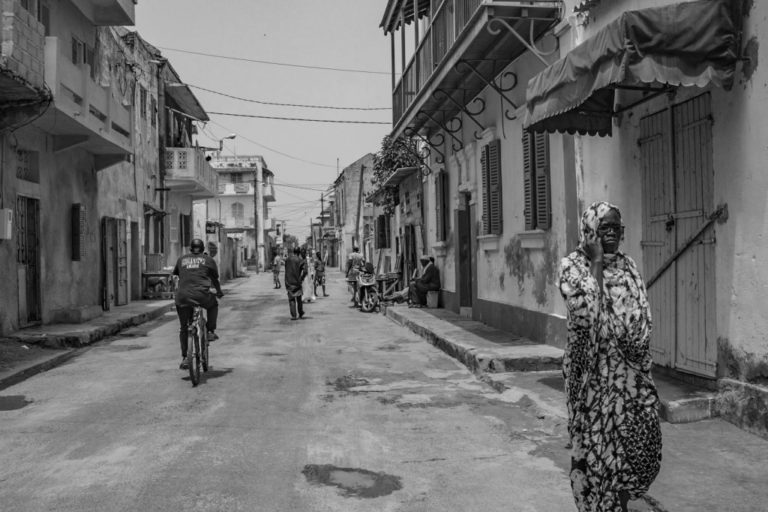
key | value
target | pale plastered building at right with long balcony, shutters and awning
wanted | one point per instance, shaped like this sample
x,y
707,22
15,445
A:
x,y
529,117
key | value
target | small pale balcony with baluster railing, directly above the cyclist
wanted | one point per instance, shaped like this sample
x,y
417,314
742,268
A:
x,y
187,171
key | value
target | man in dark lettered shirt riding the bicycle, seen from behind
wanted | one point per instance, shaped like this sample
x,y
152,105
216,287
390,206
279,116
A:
x,y
197,273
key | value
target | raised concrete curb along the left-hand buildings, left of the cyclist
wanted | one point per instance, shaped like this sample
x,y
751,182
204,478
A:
x,y
90,333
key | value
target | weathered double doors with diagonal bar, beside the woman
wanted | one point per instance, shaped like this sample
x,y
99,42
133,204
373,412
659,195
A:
x,y
678,176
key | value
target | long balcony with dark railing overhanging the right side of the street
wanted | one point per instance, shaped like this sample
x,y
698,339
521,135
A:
x,y
461,52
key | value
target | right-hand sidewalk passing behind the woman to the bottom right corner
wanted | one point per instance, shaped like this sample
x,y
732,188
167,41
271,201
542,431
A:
x,y
707,466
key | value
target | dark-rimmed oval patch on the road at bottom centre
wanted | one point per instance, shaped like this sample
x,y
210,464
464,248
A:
x,y
353,482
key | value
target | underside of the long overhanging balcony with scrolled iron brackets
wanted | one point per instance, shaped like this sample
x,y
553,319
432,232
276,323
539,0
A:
x,y
488,50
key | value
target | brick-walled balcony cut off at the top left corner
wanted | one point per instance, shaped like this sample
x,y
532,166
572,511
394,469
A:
x,y
22,56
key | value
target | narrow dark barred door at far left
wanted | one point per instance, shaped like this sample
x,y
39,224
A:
x,y
28,259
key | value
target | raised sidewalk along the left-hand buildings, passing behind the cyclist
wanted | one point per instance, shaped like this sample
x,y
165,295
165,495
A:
x,y
30,351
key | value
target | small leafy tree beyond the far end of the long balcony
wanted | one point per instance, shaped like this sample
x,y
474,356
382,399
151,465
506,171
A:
x,y
394,153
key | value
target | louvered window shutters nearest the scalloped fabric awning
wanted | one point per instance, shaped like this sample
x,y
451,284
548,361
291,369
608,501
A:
x,y
536,181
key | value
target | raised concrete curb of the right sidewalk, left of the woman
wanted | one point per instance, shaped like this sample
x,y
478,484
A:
x,y
504,359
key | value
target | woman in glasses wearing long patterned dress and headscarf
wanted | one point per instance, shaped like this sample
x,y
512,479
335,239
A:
x,y
613,421
